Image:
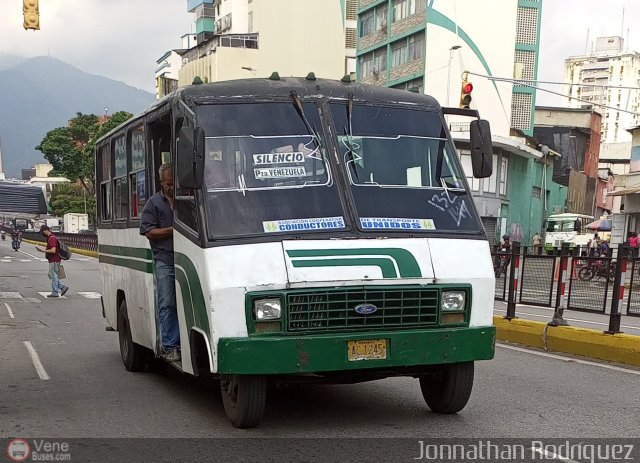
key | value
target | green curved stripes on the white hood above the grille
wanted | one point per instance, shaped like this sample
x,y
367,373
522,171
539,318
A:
x,y
406,262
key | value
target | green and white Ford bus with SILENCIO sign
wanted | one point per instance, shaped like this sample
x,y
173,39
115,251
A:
x,y
324,231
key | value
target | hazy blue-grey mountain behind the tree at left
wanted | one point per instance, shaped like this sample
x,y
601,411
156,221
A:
x,y
40,94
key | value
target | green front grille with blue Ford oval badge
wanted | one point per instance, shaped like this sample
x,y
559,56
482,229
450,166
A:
x,y
319,311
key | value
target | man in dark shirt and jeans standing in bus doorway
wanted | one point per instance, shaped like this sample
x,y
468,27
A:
x,y
156,223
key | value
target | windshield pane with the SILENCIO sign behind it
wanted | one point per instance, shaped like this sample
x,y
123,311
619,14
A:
x,y
266,171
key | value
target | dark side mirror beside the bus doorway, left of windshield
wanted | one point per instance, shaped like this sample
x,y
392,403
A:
x,y
190,164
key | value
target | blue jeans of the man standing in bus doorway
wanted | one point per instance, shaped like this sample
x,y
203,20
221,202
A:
x,y
167,310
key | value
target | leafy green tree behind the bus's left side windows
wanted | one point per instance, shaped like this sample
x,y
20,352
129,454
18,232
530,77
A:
x,y
71,149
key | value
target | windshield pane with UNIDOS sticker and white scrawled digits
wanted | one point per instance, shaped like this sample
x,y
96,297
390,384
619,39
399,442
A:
x,y
404,174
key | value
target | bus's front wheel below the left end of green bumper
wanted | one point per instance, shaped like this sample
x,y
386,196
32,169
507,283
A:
x,y
244,398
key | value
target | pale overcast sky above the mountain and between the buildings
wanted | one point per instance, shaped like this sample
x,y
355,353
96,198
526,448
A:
x,y
122,39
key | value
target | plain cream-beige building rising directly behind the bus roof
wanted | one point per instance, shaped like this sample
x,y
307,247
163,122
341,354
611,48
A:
x,y
253,38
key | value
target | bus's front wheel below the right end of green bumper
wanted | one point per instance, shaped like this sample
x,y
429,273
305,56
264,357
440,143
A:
x,y
447,388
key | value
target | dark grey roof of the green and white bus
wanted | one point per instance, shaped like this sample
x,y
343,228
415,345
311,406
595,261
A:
x,y
267,89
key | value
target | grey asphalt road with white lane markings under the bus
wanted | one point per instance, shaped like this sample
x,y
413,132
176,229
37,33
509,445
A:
x,y
82,390
